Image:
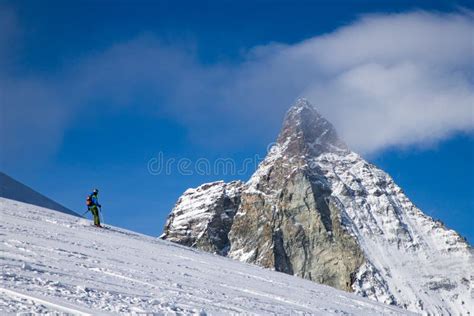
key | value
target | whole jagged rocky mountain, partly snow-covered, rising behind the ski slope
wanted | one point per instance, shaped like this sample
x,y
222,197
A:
x,y
317,210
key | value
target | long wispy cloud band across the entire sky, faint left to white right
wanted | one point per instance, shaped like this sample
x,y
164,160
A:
x,y
385,80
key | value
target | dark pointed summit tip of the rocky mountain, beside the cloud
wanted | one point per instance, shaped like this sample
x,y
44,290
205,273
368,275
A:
x,y
306,132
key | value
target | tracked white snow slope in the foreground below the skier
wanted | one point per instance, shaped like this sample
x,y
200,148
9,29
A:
x,y
57,263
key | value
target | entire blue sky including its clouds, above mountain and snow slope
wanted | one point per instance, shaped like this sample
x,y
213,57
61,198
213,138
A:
x,y
93,90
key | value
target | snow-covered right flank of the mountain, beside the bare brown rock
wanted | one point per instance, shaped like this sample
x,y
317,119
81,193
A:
x,y
411,260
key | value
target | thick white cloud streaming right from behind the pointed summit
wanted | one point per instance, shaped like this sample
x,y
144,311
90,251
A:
x,y
386,80
